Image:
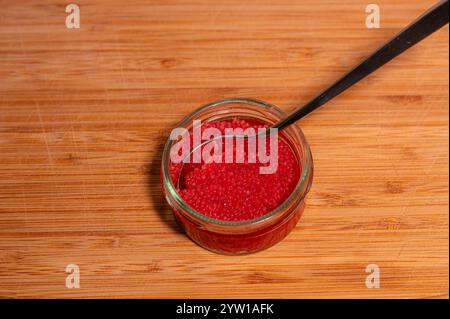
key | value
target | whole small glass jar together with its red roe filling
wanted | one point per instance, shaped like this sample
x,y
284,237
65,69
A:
x,y
232,208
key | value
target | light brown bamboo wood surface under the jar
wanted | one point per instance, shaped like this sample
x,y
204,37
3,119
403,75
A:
x,y
84,114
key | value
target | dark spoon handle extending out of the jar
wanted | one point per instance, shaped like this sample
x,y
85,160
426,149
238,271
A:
x,y
426,24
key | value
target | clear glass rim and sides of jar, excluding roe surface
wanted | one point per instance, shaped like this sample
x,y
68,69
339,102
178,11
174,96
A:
x,y
248,236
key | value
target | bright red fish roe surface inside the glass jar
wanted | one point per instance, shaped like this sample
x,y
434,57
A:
x,y
237,191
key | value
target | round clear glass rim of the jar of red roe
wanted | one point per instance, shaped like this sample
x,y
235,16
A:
x,y
306,168
